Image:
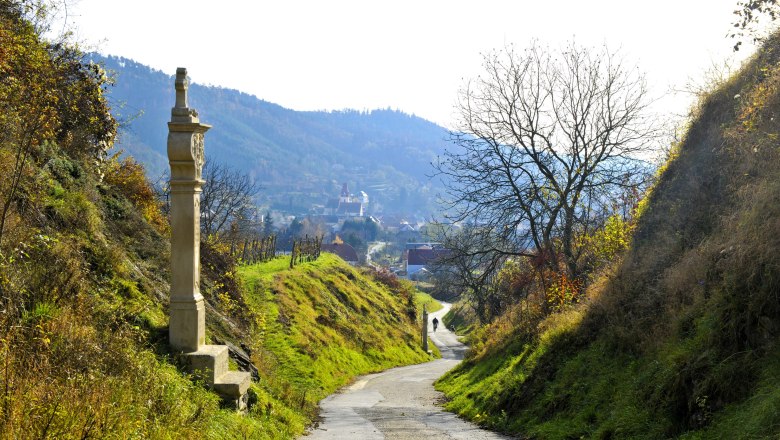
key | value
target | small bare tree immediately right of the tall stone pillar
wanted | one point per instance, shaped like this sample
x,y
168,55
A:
x,y
228,196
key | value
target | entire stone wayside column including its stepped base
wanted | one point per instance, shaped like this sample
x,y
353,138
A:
x,y
187,328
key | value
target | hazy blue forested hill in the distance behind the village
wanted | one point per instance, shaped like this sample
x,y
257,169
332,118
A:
x,y
298,157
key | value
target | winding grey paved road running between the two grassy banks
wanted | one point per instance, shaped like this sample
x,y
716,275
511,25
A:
x,y
399,403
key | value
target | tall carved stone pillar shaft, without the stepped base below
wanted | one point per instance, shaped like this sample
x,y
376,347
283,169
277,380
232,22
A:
x,y
187,331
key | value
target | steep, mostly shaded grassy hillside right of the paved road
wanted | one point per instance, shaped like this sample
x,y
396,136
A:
x,y
679,338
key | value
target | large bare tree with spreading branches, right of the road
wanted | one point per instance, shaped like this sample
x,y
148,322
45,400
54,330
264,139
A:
x,y
544,144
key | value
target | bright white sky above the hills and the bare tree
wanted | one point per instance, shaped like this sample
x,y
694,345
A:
x,y
413,56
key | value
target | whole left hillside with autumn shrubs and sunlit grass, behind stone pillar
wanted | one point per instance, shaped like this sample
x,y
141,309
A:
x,y
85,280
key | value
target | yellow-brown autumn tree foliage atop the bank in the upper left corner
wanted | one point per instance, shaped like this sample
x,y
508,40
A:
x,y
49,96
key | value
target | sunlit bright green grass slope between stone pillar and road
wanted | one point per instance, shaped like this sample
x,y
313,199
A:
x,y
323,323
